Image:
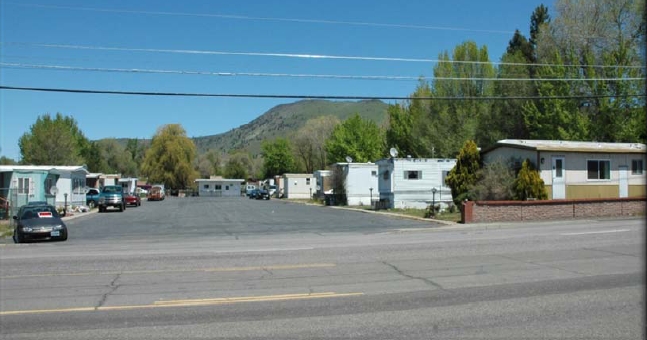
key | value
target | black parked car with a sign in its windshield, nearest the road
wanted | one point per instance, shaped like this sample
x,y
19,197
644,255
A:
x,y
38,222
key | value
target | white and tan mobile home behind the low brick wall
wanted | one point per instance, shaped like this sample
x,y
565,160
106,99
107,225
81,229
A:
x,y
579,170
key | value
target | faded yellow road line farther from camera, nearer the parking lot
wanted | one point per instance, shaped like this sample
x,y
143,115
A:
x,y
162,271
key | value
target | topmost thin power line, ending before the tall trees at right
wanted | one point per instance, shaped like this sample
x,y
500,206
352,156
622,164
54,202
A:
x,y
245,17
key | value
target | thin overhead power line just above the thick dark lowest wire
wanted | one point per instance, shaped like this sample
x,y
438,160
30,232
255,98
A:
x,y
297,75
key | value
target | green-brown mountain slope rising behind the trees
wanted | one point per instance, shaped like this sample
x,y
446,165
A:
x,y
284,120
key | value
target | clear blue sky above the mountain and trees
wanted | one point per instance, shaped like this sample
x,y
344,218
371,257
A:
x,y
275,48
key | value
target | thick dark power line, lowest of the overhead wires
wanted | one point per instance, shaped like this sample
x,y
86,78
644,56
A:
x,y
291,96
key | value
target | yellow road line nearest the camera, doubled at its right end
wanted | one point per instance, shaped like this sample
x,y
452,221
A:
x,y
188,303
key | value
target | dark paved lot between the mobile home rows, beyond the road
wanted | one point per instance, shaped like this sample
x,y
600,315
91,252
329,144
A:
x,y
196,217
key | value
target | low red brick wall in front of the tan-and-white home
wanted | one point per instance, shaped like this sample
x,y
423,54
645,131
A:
x,y
510,211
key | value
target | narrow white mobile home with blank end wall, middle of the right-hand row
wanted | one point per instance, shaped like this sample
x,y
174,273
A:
x,y
361,182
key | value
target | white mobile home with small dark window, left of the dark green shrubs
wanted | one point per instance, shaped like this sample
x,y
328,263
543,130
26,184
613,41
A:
x,y
411,182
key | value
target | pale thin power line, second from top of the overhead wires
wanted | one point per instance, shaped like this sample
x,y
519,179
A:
x,y
303,55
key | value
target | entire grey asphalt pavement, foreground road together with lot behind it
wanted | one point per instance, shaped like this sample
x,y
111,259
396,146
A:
x,y
184,269
